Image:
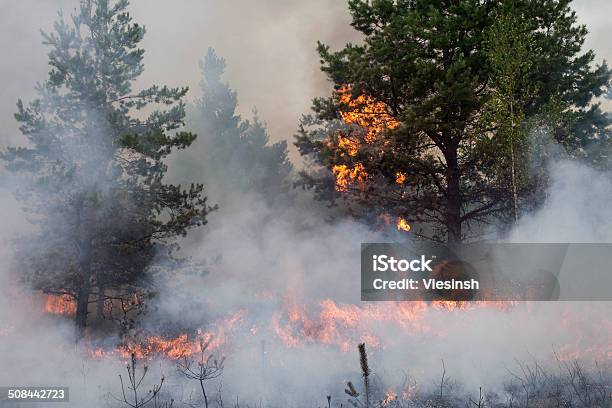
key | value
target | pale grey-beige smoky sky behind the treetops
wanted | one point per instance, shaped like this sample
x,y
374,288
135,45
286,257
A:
x,y
269,46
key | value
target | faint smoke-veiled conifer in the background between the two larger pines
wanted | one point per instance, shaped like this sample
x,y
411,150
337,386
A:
x,y
232,154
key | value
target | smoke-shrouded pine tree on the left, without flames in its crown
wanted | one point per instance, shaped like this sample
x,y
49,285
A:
x,y
92,172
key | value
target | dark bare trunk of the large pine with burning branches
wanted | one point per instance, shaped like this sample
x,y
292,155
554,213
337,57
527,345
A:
x,y
453,196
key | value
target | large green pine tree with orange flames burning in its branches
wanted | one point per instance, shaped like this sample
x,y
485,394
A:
x,y
427,68
